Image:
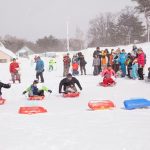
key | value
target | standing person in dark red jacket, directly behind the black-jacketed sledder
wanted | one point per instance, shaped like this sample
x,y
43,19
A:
x,y
66,62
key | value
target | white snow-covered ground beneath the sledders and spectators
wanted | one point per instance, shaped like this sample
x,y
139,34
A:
x,y
69,124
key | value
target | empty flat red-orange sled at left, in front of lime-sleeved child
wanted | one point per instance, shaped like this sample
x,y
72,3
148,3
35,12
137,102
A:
x,y
32,110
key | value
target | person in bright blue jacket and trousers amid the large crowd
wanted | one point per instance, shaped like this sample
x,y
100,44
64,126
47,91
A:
x,y
122,60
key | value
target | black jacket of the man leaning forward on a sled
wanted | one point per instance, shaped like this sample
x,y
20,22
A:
x,y
65,82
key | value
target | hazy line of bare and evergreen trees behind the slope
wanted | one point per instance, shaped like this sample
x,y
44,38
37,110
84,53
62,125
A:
x,y
108,29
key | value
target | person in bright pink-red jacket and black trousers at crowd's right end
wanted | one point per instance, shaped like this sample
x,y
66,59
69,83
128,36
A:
x,y
141,63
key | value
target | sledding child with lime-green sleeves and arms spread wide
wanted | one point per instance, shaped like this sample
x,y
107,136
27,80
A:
x,y
33,89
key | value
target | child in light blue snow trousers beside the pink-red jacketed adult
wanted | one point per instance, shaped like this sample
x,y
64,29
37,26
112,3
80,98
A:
x,y
134,72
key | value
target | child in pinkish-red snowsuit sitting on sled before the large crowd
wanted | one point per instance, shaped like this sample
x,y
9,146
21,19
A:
x,y
107,74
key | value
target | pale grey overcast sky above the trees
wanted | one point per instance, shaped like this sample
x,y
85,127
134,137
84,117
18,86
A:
x,y
33,19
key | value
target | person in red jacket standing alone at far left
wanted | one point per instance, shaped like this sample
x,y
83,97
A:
x,y
14,70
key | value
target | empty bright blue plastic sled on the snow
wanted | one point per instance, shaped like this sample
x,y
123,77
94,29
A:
x,y
136,103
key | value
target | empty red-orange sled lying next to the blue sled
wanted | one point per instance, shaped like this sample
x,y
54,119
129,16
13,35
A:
x,y
101,104
